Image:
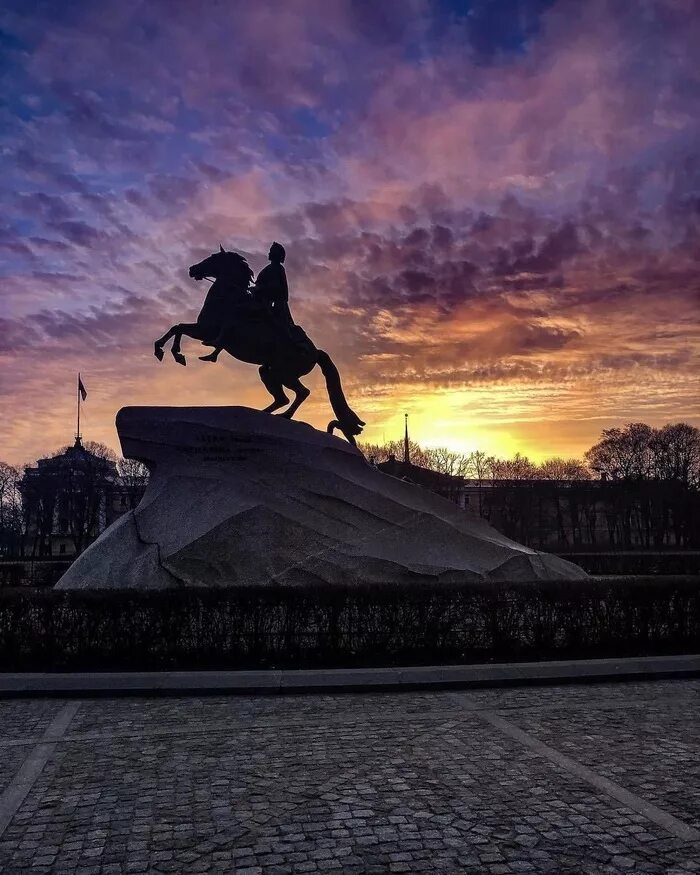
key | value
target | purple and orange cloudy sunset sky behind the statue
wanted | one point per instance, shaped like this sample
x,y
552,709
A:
x,y
491,209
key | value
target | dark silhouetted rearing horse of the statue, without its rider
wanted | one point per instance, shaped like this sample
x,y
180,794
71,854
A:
x,y
251,336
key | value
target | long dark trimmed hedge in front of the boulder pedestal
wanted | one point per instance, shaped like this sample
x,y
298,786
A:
x,y
288,627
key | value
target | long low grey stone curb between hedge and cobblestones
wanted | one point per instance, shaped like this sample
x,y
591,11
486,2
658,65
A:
x,y
13,685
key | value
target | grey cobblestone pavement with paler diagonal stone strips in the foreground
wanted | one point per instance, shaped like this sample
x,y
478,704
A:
x,y
595,779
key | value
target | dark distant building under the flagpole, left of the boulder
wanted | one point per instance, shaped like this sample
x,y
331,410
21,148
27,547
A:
x,y
69,499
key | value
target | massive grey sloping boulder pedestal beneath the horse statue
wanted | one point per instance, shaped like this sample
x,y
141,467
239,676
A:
x,y
237,496
